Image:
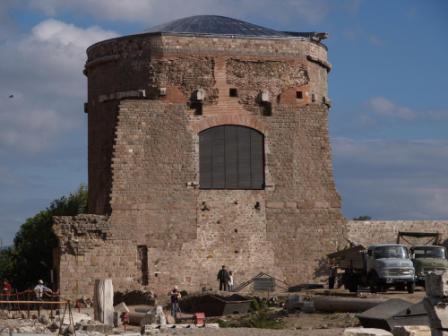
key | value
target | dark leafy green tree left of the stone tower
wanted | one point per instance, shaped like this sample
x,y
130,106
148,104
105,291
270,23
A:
x,y
31,256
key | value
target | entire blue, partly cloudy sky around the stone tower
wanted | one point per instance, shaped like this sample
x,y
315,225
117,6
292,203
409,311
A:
x,y
388,124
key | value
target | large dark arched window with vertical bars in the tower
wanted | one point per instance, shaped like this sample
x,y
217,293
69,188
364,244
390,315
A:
x,y
231,157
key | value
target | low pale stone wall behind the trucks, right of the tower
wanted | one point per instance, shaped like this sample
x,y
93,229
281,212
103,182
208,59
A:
x,y
371,232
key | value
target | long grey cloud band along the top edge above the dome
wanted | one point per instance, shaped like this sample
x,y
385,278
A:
x,y
157,11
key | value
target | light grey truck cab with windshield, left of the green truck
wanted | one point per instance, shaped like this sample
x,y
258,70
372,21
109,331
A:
x,y
389,265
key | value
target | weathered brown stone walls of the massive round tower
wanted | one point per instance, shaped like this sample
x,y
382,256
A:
x,y
144,164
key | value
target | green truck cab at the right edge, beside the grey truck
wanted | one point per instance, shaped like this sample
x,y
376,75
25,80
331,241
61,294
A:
x,y
428,259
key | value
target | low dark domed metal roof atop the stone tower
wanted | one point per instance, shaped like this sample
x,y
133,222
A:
x,y
214,25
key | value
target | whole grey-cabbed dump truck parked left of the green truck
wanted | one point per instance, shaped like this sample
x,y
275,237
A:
x,y
379,267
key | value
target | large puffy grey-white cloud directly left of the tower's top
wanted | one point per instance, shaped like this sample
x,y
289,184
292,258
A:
x,y
44,73
